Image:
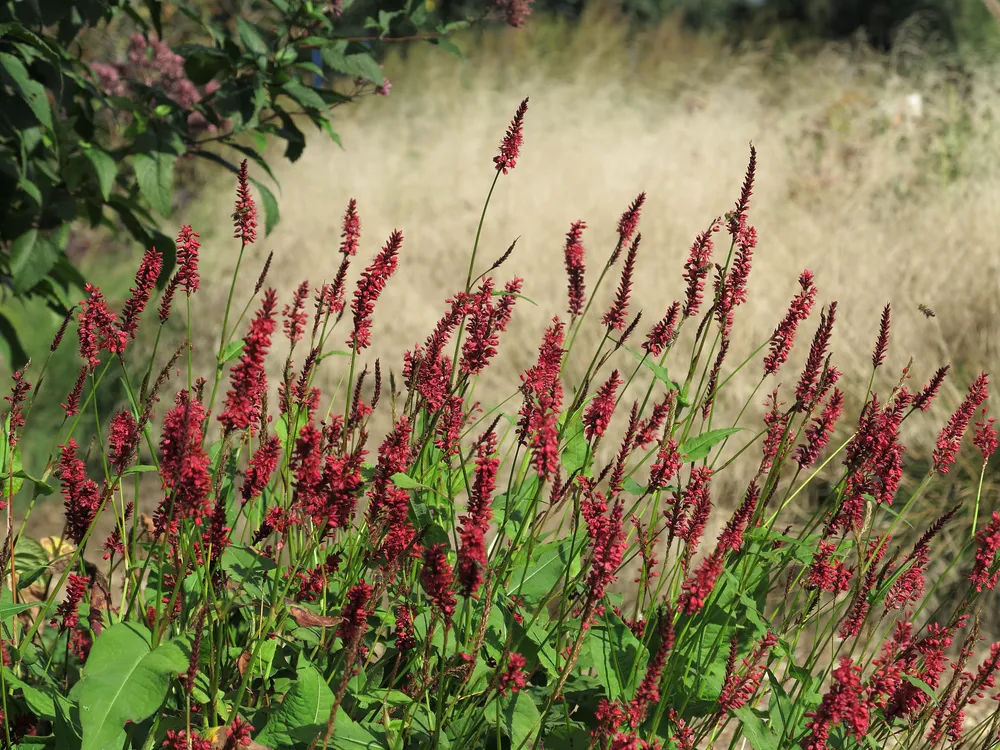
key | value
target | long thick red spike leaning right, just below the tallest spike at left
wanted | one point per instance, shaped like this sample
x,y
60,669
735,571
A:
x,y
247,380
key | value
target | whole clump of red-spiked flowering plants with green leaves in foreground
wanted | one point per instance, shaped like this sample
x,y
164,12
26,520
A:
x,y
291,585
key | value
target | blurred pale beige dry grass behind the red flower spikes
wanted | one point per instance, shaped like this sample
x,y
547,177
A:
x,y
877,133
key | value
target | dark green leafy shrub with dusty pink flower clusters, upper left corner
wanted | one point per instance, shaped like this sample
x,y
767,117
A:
x,y
90,141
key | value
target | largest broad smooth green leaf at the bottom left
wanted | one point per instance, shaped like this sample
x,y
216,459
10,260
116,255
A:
x,y
124,679
